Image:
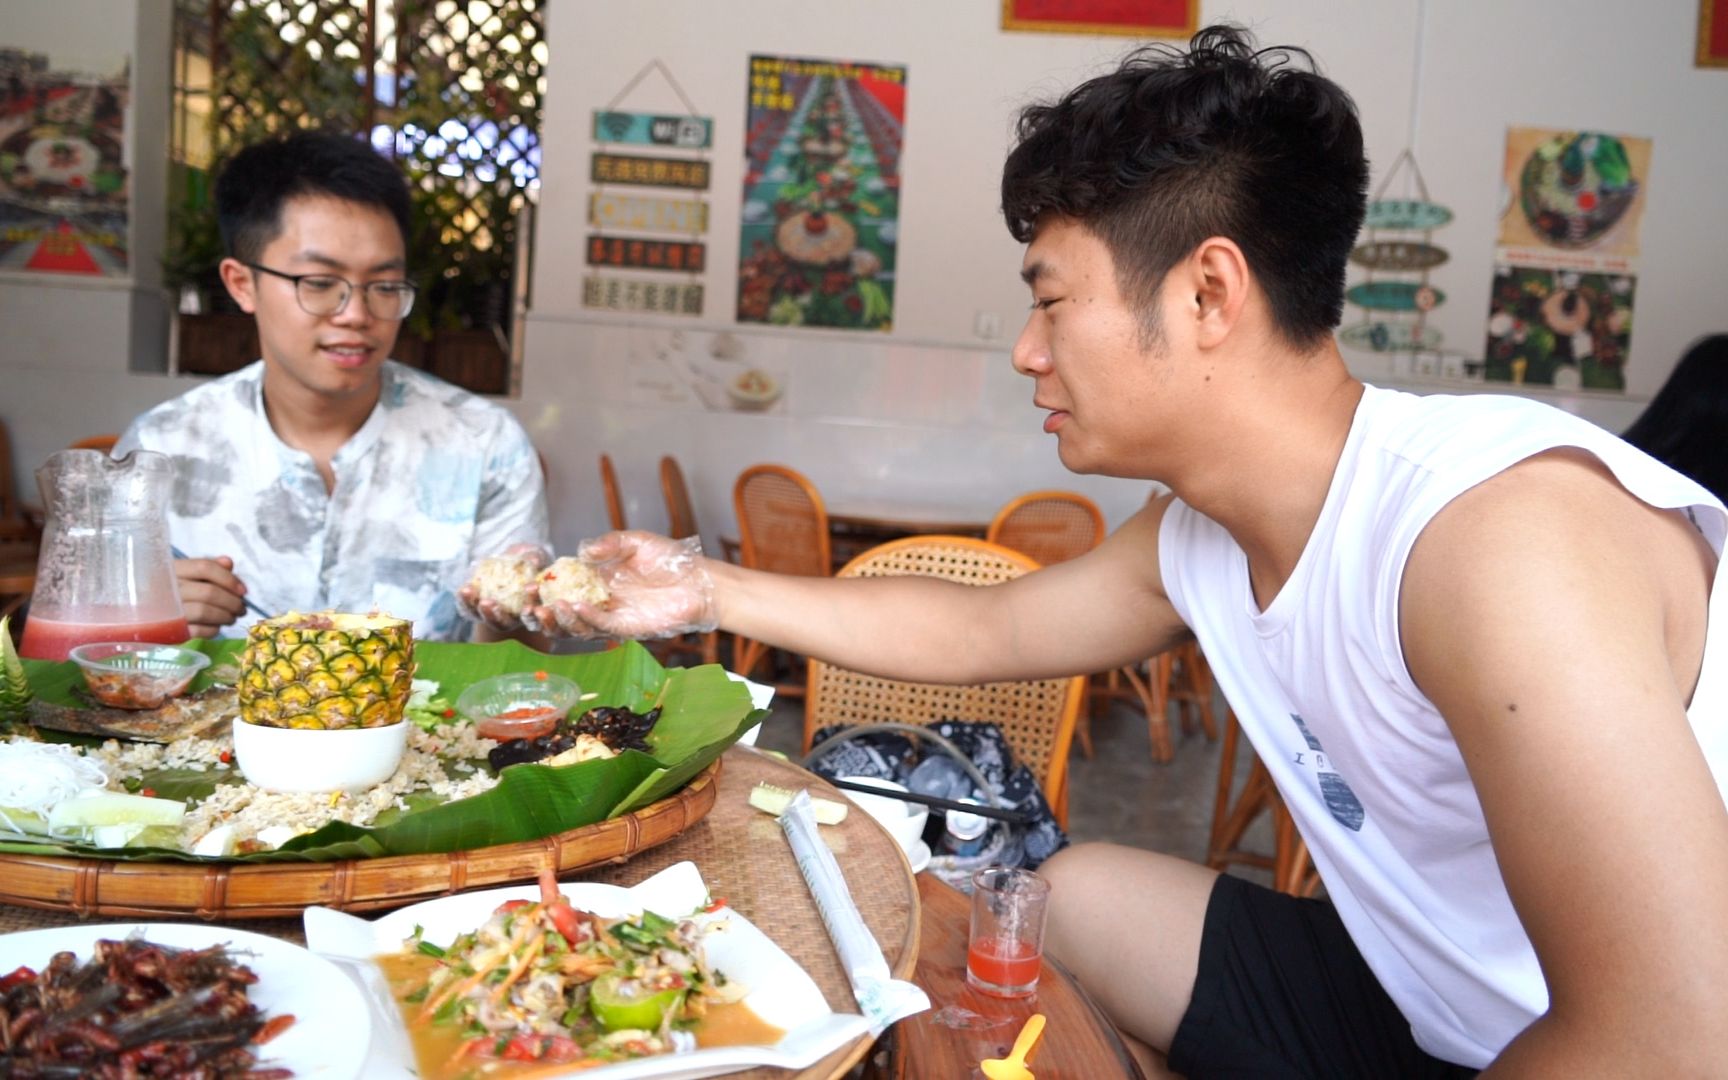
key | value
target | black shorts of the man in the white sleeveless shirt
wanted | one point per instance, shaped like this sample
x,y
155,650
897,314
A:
x,y
1285,993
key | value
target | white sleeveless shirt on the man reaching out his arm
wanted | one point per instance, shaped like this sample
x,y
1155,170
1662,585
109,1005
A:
x,y
1366,763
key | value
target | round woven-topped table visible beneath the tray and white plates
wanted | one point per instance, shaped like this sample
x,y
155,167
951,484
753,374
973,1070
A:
x,y
744,858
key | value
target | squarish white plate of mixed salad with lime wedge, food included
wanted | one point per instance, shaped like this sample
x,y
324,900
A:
x,y
554,981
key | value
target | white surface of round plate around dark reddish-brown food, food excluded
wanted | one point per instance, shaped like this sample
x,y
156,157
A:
x,y
331,1031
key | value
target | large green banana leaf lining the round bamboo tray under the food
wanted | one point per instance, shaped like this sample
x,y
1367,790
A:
x,y
702,715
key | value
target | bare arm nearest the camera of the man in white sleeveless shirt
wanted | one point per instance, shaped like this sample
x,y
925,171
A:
x,y
1558,625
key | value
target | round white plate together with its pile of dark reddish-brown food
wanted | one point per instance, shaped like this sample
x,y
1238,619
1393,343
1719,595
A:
x,y
174,1000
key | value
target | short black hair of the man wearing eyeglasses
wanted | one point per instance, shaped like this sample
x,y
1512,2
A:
x,y
264,177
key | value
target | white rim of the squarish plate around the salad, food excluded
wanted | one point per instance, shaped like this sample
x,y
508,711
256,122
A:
x,y
780,991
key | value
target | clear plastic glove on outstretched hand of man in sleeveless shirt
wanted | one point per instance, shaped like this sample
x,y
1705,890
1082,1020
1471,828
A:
x,y
658,588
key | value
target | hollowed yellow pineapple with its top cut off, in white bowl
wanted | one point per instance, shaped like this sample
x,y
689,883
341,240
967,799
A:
x,y
327,671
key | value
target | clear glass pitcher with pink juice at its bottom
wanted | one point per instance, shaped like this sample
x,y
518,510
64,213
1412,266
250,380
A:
x,y
106,569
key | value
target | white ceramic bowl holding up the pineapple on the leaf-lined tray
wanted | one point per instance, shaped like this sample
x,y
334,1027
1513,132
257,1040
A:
x,y
300,759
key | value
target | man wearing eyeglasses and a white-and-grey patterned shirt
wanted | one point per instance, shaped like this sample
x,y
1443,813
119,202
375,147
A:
x,y
327,476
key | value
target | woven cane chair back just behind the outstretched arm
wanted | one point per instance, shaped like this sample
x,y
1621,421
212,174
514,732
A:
x,y
1038,716
